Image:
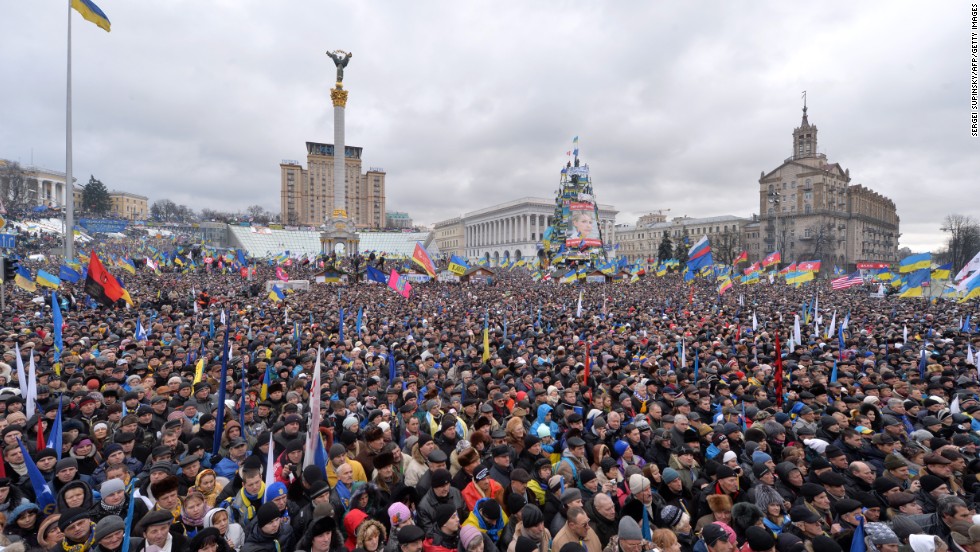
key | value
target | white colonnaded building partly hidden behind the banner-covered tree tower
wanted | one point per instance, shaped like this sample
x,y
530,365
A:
x,y
513,230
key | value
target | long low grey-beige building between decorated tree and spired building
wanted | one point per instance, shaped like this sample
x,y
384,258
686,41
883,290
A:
x,y
641,242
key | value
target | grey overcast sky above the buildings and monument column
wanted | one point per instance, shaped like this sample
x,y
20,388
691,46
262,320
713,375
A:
x,y
678,106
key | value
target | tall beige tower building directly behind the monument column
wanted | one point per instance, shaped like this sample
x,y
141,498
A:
x,y
307,195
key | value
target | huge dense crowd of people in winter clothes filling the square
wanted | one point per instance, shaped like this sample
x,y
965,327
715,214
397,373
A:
x,y
662,416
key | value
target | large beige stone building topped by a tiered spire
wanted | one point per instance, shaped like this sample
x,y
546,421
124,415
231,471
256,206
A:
x,y
810,210
